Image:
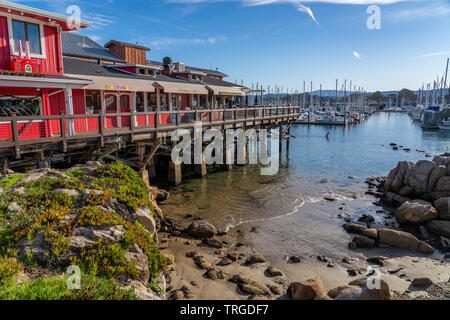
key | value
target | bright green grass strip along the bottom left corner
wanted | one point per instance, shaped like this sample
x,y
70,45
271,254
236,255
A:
x,y
55,288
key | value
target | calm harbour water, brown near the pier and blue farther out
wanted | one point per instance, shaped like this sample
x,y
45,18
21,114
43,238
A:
x,y
229,199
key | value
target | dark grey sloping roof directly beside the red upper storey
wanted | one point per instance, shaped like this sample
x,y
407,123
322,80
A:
x,y
77,45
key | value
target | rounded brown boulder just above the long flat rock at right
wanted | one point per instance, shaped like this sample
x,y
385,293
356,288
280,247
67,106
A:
x,y
416,212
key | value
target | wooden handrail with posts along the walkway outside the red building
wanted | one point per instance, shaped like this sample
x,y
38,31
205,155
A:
x,y
222,117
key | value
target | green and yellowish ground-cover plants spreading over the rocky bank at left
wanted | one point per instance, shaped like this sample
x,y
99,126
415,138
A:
x,y
57,215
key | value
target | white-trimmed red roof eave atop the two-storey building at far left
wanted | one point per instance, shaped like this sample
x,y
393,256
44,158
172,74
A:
x,y
19,9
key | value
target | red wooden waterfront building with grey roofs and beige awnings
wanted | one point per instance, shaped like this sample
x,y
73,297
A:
x,y
69,73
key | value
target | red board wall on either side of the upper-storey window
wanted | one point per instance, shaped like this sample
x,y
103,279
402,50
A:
x,y
51,65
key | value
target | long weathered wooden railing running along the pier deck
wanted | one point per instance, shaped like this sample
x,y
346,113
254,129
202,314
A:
x,y
63,129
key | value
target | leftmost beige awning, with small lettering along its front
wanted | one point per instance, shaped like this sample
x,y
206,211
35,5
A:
x,y
119,84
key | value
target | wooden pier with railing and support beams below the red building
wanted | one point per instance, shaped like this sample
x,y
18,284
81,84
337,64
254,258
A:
x,y
134,144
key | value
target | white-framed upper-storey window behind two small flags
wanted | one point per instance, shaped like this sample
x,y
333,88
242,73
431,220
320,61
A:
x,y
26,31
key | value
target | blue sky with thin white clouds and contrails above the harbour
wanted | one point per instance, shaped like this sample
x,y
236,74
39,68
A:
x,y
282,42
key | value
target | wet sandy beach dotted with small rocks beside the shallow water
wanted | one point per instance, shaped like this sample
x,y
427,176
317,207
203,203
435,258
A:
x,y
319,233
